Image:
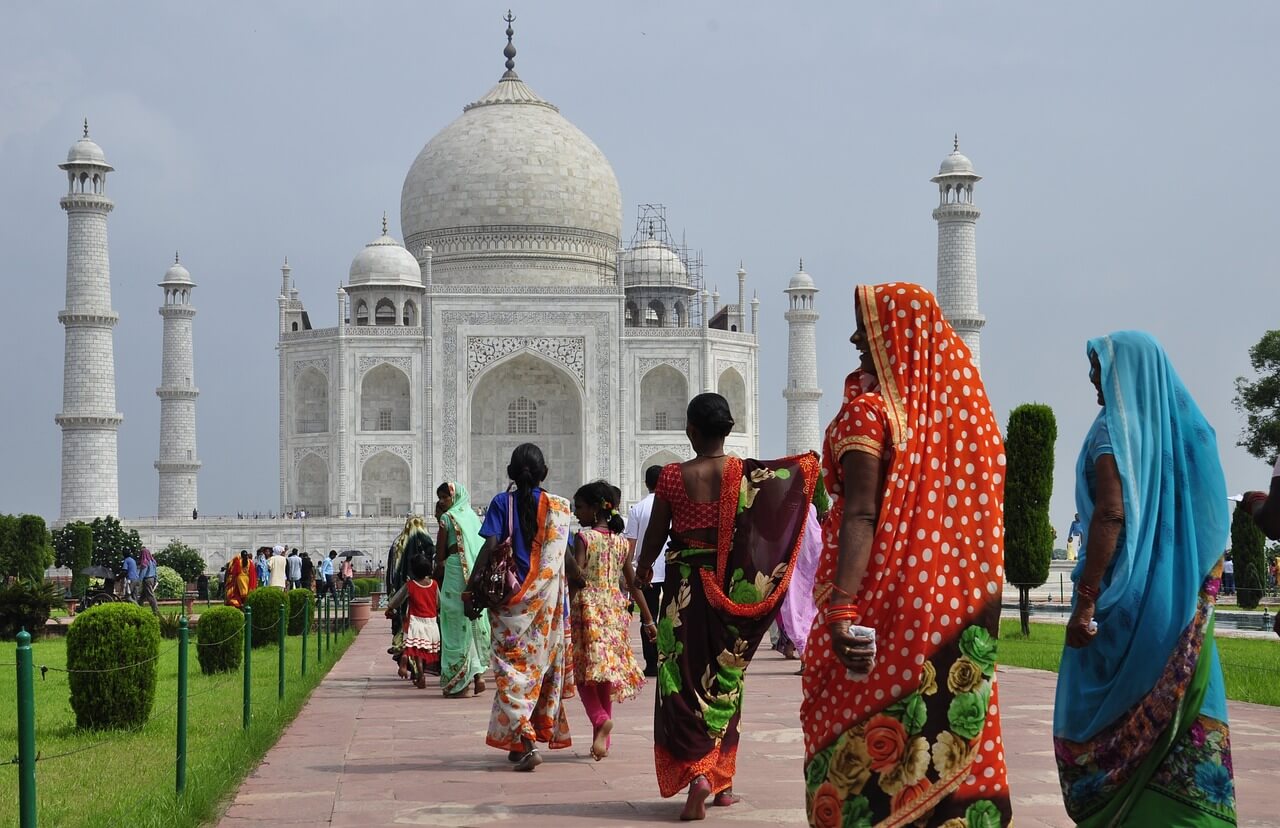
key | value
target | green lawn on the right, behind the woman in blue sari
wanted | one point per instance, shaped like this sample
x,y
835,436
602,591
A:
x,y
1250,666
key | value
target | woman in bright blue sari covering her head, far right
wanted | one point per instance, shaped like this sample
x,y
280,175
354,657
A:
x,y
1140,722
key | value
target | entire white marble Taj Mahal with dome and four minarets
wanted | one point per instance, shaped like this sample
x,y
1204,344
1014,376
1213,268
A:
x,y
516,309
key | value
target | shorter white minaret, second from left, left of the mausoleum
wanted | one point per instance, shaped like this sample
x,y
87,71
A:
x,y
177,394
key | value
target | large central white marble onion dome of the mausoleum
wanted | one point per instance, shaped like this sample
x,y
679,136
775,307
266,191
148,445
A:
x,y
511,193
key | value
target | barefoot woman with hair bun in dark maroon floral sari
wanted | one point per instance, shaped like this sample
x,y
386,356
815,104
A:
x,y
735,529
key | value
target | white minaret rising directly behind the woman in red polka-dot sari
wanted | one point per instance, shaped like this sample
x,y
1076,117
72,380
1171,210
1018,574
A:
x,y
958,254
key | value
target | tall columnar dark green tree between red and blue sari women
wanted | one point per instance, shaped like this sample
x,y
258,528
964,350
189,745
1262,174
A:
x,y
1028,487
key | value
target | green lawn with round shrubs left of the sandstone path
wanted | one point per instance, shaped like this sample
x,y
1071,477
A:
x,y
127,779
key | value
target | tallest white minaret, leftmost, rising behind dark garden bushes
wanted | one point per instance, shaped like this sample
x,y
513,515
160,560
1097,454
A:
x,y
89,419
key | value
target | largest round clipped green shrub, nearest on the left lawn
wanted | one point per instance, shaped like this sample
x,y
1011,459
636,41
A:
x,y
112,656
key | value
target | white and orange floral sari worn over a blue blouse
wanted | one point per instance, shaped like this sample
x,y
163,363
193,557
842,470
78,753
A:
x,y
533,667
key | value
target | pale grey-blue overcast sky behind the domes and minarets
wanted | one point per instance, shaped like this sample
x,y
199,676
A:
x,y
1124,150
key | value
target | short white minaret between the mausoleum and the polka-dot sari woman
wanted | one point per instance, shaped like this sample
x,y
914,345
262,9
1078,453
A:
x,y
802,391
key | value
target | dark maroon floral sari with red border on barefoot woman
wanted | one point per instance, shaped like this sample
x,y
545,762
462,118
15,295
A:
x,y
717,603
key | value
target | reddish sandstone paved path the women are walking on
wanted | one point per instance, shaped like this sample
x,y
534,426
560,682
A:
x,y
371,751
